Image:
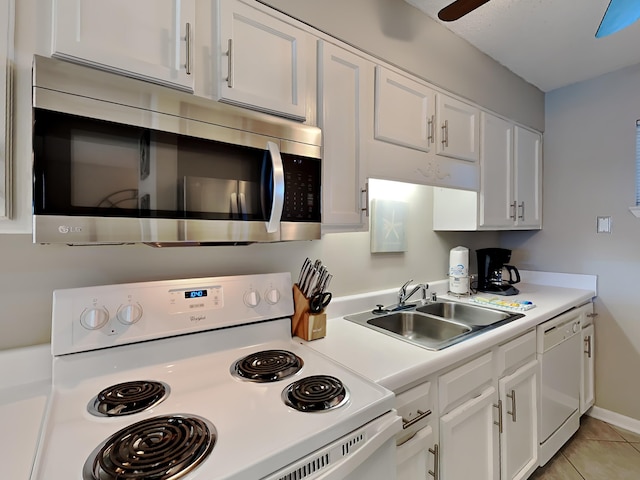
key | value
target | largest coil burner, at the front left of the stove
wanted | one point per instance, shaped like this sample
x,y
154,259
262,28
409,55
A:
x,y
158,448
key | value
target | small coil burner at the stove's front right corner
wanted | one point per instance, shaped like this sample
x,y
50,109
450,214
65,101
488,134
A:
x,y
317,393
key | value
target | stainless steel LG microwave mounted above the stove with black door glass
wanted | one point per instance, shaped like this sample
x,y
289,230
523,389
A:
x,y
119,160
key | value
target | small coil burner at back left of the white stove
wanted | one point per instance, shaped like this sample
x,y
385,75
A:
x,y
128,398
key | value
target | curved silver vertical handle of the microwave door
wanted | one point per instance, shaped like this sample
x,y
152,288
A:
x,y
273,187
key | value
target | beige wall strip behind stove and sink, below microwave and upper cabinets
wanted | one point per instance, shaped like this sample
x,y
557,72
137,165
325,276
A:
x,y
29,273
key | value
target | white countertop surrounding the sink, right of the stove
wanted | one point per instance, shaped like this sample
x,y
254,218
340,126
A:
x,y
398,365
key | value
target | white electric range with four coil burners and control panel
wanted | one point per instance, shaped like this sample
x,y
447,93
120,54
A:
x,y
200,379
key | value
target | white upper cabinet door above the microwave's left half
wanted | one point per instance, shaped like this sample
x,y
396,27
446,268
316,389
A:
x,y
144,38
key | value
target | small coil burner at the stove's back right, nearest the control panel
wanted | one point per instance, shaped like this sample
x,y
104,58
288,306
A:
x,y
267,366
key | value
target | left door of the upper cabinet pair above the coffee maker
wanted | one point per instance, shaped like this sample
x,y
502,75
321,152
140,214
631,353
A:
x,y
497,207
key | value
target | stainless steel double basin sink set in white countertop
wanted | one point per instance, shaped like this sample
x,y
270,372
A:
x,y
436,325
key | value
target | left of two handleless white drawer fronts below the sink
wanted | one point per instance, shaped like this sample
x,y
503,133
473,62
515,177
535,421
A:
x,y
464,382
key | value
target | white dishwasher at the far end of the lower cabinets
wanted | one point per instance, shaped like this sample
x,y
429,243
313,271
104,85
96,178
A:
x,y
559,353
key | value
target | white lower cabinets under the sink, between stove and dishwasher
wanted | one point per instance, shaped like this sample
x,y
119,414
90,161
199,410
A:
x,y
486,427
